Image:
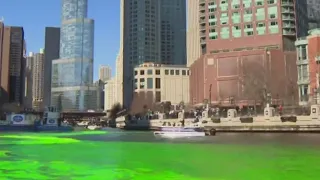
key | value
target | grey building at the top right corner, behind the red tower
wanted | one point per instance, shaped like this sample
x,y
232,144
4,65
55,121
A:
x,y
313,13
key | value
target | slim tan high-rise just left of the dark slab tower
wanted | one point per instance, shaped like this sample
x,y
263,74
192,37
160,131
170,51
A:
x,y
38,80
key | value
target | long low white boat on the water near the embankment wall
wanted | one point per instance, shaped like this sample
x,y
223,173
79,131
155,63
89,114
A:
x,y
179,132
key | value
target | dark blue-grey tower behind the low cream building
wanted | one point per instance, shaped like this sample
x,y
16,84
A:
x,y
152,31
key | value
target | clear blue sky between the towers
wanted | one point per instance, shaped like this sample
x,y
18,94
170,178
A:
x,y
35,15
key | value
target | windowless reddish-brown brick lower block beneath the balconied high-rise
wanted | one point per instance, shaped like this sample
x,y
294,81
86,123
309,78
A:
x,y
225,72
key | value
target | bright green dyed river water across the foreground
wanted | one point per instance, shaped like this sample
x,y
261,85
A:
x,y
111,156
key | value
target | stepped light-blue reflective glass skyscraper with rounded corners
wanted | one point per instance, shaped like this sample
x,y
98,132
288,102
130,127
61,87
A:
x,y
72,86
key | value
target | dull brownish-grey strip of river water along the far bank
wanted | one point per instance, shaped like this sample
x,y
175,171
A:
x,y
220,138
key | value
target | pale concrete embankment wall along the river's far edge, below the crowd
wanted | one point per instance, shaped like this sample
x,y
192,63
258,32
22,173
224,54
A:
x,y
238,124
